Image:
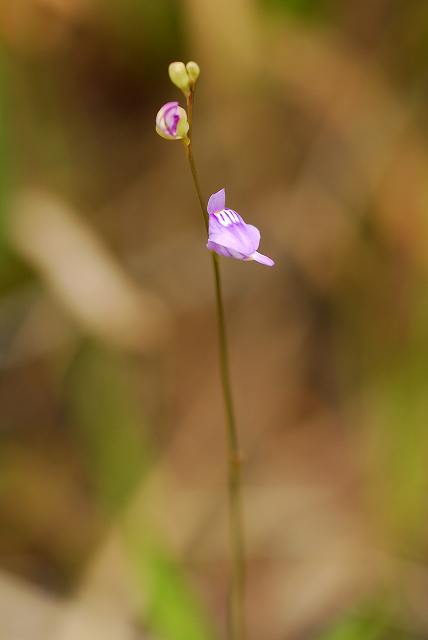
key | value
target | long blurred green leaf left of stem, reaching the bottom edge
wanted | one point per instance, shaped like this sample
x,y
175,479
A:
x,y
113,437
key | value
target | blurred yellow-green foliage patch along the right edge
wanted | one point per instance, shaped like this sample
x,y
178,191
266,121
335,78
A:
x,y
398,436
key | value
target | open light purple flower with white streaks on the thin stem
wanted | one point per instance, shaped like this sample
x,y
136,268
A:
x,y
229,235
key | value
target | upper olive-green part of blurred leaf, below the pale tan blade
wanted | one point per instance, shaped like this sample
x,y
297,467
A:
x,y
111,426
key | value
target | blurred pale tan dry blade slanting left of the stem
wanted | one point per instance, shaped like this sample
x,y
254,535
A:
x,y
79,270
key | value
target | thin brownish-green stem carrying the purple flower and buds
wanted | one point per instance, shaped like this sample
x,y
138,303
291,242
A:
x,y
236,623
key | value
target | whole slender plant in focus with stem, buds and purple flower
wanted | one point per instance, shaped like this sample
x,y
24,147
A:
x,y
230,236
